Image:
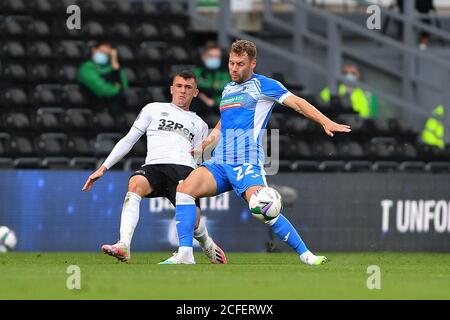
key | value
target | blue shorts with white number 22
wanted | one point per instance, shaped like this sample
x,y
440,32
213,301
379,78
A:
x,y
239,177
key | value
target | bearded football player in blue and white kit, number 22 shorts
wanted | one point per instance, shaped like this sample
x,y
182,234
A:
x,y
237,160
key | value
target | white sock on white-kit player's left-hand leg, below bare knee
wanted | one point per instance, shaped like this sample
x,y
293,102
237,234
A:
x,y
130,217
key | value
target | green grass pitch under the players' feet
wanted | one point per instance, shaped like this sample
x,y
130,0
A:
x,y
247,276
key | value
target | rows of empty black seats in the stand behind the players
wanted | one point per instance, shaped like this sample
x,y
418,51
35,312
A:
x,y
48,122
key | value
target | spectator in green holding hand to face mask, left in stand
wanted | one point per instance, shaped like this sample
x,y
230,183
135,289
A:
x,y
103,77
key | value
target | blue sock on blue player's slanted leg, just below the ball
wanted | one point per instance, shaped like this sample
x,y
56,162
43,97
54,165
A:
x,y
287,233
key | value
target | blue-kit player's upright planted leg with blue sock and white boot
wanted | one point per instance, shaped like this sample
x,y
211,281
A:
x,y
204,181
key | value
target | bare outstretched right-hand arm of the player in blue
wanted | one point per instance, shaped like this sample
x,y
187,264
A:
x,y
304,107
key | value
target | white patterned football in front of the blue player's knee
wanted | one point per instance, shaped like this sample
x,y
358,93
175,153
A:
x,y
265,204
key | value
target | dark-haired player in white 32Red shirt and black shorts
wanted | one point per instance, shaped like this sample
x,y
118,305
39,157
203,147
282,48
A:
x,y
173,132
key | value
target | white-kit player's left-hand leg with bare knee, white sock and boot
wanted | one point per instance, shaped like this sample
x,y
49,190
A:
x,y
138,187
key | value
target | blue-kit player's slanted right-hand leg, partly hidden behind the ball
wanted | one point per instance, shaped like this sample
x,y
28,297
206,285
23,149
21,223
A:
x,y
286,232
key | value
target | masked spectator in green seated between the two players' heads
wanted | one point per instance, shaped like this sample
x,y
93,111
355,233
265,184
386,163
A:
x,y
212,77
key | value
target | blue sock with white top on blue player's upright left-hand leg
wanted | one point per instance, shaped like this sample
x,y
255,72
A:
x,y
185,216
